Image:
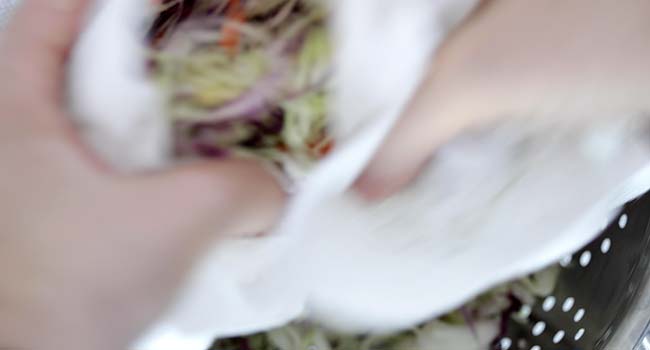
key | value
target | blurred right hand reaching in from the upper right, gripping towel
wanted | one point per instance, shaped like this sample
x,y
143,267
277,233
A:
x,y
541,59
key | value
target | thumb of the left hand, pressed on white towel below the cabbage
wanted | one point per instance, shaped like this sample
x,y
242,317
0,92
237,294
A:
x,y
231,197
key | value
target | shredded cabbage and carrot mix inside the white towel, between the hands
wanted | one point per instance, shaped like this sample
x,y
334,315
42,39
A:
x,y
245,78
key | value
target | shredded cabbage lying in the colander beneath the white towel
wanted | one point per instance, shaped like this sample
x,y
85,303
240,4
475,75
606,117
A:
x,y
489,307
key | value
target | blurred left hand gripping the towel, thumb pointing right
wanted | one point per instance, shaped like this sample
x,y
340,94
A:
x,y
89,258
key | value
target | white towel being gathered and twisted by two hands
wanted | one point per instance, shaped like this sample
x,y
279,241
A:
x,y
492,206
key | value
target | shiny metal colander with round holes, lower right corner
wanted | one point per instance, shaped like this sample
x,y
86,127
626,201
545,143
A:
x,y
601,300
